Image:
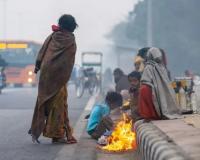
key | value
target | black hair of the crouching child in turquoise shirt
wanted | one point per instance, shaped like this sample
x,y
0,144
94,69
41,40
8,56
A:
x,y
114,98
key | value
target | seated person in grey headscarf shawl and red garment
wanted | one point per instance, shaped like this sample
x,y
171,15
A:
x,y
156,97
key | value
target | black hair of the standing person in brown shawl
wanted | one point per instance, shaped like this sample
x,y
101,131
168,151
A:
x,y
67,22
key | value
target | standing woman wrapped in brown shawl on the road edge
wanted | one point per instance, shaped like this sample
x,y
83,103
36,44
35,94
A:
x,y
55,62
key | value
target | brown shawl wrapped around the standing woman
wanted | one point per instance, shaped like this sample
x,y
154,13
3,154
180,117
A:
x,y
55,60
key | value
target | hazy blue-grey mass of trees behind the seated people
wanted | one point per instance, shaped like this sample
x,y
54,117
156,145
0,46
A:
x,y
175,28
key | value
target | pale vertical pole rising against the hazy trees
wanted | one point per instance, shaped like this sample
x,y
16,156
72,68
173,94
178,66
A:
x,y
149,24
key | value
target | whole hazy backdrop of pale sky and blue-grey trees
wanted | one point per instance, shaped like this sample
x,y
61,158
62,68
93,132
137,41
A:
x,y
118,28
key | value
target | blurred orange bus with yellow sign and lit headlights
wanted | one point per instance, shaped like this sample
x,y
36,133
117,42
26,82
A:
x,y
20,57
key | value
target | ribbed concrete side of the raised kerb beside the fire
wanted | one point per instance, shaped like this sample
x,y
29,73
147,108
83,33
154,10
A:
x,y
153,144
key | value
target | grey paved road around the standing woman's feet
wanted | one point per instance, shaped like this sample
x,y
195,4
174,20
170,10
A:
x,y
16,109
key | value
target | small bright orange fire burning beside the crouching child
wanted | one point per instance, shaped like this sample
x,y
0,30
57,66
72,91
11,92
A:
x,y
122,138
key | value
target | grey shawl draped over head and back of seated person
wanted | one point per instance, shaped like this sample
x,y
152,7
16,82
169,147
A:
x,y
155,75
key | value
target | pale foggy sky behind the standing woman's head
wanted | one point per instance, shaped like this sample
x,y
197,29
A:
x,y
32,19
